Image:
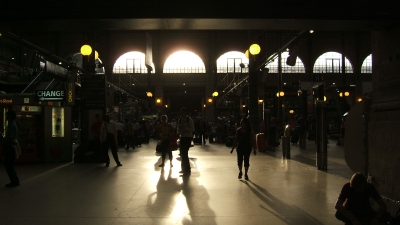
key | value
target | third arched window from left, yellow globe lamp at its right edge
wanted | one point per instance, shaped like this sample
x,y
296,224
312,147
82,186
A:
x,y
230,63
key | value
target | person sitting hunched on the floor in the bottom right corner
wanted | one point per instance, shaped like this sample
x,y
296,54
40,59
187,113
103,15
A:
x,y
353,204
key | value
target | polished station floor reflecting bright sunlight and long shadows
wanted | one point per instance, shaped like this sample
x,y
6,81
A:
x,y
280,191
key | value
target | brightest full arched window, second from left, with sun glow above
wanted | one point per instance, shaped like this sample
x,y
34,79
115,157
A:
x,y
184,62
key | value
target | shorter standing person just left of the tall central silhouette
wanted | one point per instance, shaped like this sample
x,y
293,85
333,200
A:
x,y
166,130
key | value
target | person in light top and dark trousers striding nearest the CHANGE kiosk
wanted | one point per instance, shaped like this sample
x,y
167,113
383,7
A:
x,y
108,138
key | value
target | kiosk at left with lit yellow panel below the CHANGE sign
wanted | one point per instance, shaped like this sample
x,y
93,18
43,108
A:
x,y
44,125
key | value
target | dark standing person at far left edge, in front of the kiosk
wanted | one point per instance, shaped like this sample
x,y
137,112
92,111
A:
x,y
11,149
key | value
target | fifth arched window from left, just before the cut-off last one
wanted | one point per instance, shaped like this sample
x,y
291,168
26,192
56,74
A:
x,y
331,62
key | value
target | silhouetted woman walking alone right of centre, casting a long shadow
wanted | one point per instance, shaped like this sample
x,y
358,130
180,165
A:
x,y
244,141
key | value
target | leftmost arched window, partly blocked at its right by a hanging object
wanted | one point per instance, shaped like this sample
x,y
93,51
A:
x,y
131,62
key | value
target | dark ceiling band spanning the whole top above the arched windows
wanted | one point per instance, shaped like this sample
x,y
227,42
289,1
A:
x,y
73,15
